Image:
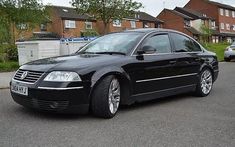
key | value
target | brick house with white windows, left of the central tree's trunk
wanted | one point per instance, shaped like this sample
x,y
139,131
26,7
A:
x,y
66,22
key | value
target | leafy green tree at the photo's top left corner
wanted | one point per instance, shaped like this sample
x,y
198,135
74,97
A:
x,y
16,12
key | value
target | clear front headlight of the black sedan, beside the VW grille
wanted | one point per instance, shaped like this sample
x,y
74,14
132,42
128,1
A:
x,y
62,76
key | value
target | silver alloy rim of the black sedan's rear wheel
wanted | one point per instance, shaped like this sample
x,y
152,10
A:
x,y
206,82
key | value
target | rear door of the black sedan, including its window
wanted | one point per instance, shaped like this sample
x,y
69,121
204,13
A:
x,y
188,62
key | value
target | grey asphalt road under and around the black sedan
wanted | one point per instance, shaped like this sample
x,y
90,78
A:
x,y
179,121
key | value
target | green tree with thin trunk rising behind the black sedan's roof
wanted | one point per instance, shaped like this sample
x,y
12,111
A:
x,y
107,10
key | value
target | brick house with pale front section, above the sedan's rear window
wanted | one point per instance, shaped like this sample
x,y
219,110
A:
x,y
187,21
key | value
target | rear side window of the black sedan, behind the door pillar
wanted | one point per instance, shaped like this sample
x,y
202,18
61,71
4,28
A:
x,y
184,44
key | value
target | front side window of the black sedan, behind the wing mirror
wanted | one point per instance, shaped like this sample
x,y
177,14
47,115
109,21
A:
x,y
159,42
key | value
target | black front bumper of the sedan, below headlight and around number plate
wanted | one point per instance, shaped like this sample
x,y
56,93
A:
x,y
59,100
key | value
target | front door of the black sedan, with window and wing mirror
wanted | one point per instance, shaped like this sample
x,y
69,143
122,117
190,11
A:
x,y
153,66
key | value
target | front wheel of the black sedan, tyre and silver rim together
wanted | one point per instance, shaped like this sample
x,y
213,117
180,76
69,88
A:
x,y
106,98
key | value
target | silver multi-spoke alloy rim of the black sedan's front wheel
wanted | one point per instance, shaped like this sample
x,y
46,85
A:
x,y
114,96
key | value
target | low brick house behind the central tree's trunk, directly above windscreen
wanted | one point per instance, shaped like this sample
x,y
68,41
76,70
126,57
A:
x,y
139,20
